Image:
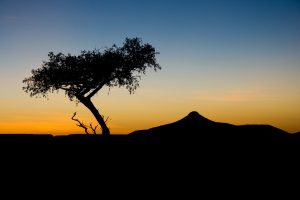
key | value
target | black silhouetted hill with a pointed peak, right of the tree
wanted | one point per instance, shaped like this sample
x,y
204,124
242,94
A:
x,y
195,128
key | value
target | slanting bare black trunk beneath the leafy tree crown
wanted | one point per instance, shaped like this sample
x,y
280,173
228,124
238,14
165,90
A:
x,y
89,104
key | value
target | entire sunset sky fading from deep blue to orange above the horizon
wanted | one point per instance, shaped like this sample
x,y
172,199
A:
x,y
235,61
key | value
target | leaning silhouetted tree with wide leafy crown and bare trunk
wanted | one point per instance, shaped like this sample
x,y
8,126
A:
x,y
82,77
